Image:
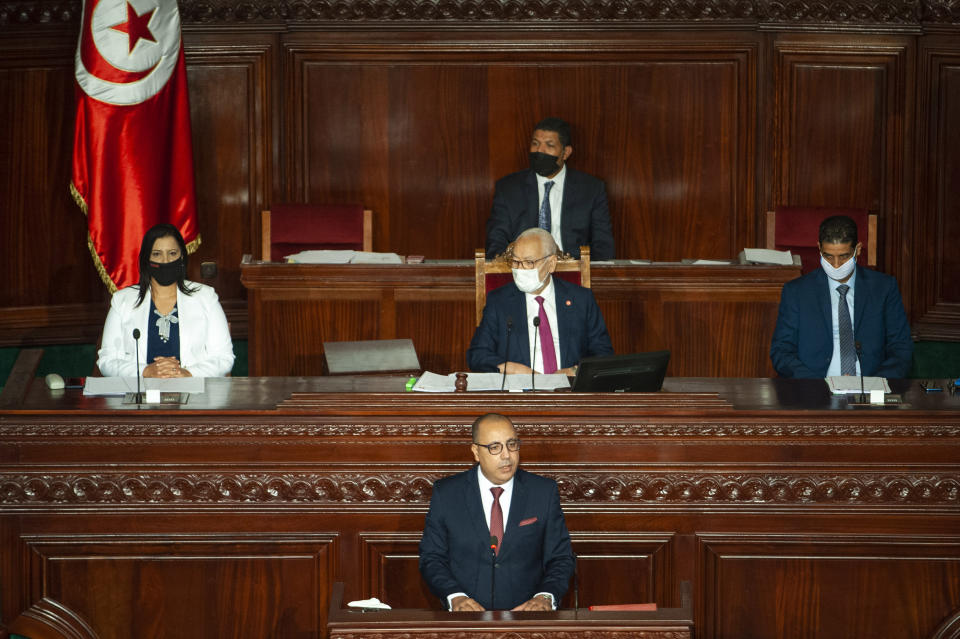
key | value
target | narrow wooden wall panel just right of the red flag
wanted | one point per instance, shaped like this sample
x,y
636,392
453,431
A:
x,y
231,116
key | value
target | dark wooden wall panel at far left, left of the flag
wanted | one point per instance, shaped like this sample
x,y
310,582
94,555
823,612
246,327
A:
x,y
45,259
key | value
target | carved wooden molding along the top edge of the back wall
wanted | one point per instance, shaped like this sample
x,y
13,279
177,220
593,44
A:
x,y
849,12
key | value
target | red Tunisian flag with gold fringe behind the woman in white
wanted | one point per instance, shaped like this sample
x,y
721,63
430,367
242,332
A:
x,y
132,159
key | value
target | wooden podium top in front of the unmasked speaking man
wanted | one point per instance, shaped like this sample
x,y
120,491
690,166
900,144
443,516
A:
x,y
665,623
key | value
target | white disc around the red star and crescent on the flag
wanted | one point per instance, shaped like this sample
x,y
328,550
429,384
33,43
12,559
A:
x,y
113,46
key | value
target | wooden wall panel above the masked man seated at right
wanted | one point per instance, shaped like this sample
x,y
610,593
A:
x,y
842,128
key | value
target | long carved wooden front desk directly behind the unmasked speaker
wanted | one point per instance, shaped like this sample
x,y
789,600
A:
x,y
789,513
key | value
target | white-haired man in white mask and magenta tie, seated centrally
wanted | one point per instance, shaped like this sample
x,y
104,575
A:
x,y
569,325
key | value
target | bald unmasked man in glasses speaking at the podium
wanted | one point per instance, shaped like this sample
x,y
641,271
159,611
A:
x,y
495,537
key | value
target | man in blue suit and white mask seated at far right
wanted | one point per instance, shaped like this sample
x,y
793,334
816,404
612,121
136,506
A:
x,y
841,319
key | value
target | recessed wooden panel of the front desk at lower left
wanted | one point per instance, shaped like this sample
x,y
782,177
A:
x,y
214,585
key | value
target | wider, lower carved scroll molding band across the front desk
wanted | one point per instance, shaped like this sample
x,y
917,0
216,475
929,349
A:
x,y
396,487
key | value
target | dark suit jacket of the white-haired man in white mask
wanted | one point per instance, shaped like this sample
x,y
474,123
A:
x,y
583,332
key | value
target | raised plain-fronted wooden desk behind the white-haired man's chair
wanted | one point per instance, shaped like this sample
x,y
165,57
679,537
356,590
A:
x,y
717,320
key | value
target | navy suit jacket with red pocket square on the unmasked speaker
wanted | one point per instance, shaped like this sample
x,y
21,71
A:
x,y
534,557
